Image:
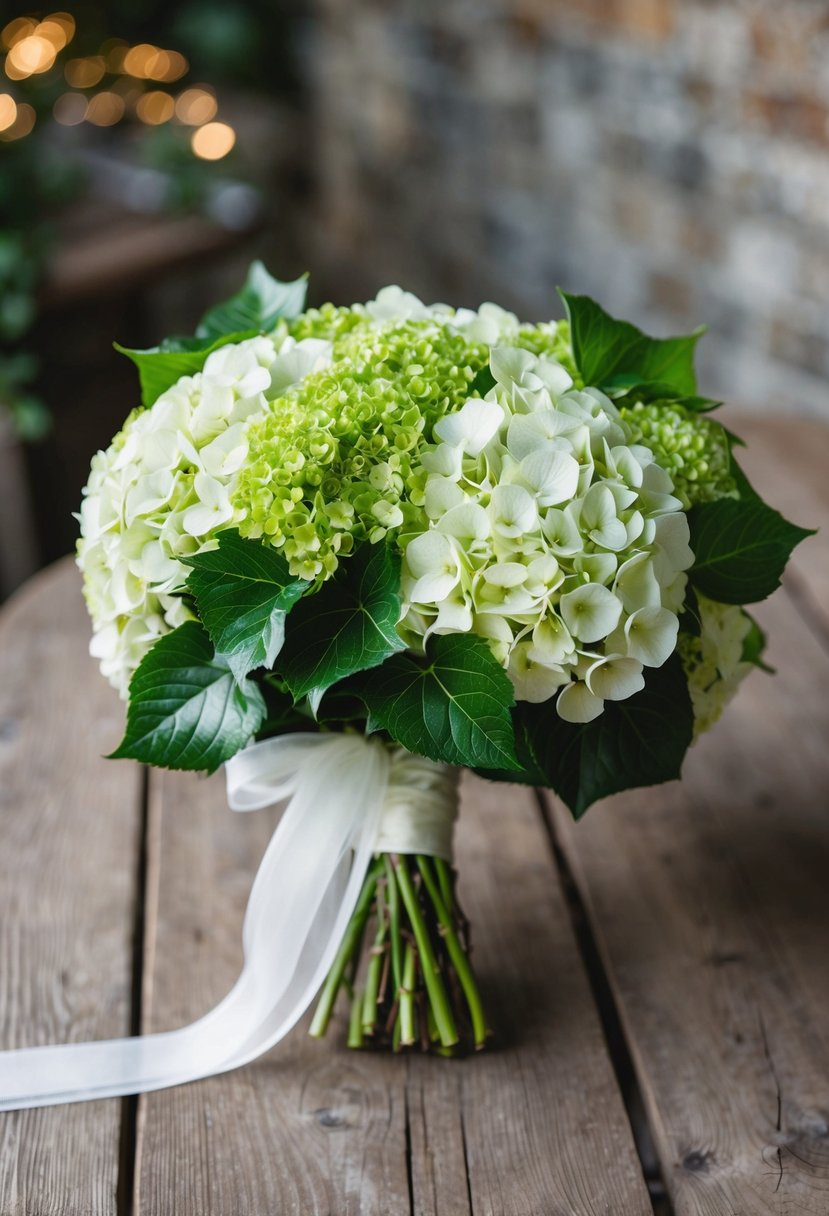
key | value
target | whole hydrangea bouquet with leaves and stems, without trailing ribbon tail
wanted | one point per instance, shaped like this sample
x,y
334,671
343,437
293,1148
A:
x,y
351,551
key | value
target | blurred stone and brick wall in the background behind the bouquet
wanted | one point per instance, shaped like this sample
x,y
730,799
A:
x,y
670,157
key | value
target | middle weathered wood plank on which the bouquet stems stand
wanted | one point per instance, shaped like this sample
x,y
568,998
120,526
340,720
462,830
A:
x,y
534,1127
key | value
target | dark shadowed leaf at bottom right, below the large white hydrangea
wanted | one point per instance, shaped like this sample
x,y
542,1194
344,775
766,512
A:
x,y
636,742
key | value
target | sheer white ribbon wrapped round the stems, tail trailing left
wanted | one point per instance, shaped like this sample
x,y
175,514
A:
x,y
348,798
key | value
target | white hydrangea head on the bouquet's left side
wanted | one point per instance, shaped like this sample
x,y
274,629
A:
x,y
162,492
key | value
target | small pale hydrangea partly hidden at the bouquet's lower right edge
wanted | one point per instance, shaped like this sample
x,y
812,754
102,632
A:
x,y
714,661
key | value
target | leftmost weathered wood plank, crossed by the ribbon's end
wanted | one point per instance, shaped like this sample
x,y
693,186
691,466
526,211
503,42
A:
x,y
67,885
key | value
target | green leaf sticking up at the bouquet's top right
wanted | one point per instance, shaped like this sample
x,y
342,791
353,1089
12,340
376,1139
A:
x,y
606,350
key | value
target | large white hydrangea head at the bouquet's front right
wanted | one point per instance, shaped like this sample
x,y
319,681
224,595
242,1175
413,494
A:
x,y
552,537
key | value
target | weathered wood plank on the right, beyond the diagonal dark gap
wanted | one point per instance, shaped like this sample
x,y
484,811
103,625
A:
x,y
710,903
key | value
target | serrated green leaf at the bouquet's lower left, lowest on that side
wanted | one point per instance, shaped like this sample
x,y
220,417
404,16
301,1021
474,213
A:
x,y
187,710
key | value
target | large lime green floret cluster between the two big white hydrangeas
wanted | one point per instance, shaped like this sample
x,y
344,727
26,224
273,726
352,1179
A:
x,y
335,463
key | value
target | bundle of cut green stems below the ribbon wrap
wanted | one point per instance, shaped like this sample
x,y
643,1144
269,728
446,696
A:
x,y
404,964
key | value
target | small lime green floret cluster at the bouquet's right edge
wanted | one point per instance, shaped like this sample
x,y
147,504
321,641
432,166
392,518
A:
x,y
693,449
